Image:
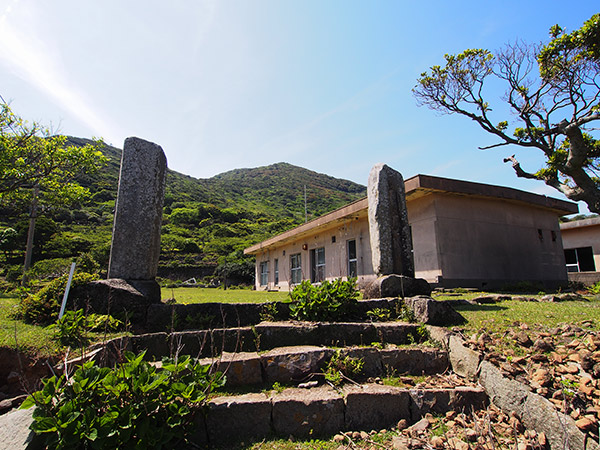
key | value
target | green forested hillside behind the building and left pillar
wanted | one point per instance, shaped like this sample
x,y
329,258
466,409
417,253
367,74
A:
x,y
206,222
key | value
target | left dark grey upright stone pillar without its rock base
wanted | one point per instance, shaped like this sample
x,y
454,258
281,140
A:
x,y
135,244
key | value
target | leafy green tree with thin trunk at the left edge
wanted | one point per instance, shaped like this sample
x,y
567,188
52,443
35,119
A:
x,y
39,170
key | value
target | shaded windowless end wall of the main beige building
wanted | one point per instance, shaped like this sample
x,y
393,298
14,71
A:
x,y
491,243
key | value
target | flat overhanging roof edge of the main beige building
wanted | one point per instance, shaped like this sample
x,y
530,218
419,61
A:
x,y
416,187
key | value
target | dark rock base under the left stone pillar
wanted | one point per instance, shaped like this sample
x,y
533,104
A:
x,y
117,297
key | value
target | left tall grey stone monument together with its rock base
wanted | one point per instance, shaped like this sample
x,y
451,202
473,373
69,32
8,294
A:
x,y
131,285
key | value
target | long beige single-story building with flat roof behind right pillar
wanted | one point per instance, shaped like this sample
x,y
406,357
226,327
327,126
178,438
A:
x,y
464,234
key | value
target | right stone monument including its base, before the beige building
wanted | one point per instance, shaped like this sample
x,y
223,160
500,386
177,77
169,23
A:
x,y
391,241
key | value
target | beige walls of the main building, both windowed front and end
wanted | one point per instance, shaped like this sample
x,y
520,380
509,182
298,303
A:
x,y
458,240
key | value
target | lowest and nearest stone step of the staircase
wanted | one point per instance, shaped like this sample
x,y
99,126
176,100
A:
x,y
324,411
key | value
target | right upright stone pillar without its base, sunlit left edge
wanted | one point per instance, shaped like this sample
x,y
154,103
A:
x,y
391,243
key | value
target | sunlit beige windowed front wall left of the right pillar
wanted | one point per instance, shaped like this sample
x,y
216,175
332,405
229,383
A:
x,y
336,255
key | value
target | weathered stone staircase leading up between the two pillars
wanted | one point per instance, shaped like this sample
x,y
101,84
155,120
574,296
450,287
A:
x,y
279,367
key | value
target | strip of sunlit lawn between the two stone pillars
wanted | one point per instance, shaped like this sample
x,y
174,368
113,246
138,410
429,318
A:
x,y
209,295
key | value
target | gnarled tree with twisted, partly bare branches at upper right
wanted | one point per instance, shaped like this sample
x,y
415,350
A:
x,y
553,91
